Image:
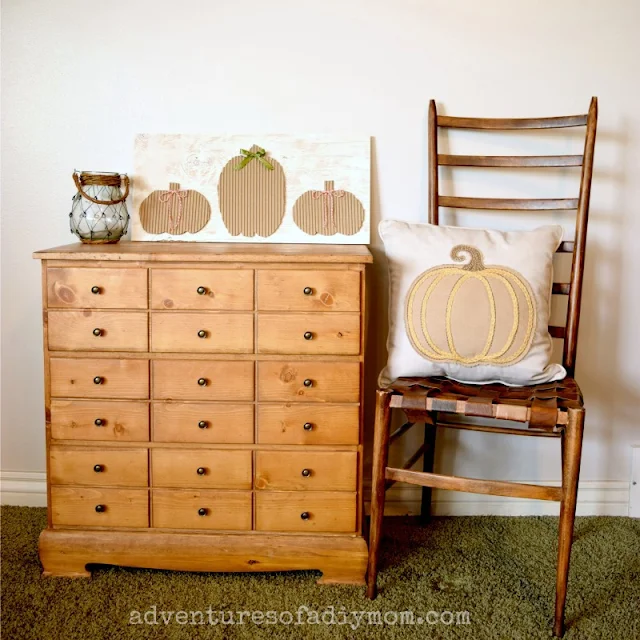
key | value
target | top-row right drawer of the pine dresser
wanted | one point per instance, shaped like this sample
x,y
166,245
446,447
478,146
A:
x,y
308,290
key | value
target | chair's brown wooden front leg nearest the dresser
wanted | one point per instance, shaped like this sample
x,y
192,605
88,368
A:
x,y
380,459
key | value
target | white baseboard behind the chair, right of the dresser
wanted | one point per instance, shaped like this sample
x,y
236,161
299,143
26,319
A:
x,y
594,499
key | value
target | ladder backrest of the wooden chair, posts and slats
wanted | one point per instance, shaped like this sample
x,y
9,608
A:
x,y
572,289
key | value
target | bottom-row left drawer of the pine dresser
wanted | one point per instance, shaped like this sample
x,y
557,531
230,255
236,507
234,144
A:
x,y
76,506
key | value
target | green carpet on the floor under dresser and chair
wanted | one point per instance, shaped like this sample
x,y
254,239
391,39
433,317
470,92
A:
x,y
500,570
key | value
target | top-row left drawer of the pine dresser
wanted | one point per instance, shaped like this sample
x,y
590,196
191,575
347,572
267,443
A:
x,y
73,287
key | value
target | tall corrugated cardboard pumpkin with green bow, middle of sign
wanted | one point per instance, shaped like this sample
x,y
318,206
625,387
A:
x,y
252,194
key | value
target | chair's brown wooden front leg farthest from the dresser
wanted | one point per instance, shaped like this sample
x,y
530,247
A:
x,y
571,453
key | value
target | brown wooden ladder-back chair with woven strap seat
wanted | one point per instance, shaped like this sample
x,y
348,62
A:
x,y
552,410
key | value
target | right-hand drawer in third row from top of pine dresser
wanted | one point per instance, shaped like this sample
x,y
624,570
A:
x,y
308,381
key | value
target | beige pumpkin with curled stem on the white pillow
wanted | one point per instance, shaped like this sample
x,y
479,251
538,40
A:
x,y
471,314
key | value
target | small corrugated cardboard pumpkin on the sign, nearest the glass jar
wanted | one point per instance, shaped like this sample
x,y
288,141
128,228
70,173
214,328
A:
x,y
175,211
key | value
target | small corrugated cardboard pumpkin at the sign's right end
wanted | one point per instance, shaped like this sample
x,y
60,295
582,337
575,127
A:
x,y
328,212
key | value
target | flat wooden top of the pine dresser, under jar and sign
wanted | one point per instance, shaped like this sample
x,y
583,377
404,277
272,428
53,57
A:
x,y
209,252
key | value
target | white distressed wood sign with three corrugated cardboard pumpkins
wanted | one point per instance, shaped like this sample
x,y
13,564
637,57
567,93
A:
x,y
259,188
